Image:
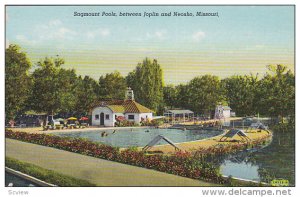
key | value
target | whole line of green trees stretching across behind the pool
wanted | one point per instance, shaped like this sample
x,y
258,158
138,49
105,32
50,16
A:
x,y
49,88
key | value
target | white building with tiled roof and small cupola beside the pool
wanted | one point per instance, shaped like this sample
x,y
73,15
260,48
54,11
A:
x,y
105,113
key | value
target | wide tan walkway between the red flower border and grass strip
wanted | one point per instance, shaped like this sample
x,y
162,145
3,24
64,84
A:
x,y
98,171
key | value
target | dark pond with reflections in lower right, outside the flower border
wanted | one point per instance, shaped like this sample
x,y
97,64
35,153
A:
x,y
276,160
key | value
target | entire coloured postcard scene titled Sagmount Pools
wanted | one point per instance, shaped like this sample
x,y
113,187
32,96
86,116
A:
x,y
150,95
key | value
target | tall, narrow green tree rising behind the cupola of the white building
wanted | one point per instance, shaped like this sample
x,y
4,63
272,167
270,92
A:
x,y
147,82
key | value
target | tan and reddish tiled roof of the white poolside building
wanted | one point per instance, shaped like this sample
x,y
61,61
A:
x,y
124,106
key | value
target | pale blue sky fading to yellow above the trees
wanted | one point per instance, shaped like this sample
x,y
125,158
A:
x,y
241,40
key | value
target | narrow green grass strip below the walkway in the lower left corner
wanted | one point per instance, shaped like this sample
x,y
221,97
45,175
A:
x,y
48,176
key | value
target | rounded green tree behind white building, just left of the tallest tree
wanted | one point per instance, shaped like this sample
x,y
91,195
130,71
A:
x,y
112,86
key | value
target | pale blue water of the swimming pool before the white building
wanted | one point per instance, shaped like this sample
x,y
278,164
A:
x,y
141,136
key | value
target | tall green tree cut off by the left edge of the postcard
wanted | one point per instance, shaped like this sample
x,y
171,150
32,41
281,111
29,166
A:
x,y
17,81
